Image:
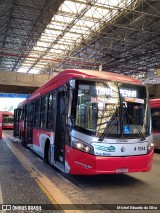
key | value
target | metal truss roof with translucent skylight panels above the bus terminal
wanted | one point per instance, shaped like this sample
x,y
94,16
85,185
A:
x,y
46,36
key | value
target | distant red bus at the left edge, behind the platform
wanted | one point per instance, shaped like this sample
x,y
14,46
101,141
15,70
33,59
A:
x,y
7,119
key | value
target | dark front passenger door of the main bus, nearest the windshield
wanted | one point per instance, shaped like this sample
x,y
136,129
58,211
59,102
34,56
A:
x,y
59,151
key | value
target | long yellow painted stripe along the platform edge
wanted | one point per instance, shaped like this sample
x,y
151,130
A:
x,y
52,192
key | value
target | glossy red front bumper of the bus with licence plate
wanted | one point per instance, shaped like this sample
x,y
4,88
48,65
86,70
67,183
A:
x,y
86,164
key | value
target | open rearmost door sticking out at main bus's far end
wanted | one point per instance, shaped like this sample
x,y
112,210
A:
x,y
17,114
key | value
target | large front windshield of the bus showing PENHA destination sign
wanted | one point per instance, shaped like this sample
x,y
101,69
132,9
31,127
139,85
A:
x,y
111,109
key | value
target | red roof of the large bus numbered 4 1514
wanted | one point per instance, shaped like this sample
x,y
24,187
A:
x,y
66,75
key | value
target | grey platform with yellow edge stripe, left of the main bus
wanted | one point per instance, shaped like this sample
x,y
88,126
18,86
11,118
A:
x,y
25,179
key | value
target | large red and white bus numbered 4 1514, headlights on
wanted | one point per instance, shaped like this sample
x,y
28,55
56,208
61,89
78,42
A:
x,y
89,122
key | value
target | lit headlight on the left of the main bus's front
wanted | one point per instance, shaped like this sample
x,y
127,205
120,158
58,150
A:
x,y
80,145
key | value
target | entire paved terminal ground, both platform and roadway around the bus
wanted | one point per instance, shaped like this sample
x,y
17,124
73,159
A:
x,y
26,179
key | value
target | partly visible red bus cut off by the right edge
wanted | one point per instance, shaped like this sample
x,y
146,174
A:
x,y
155,113
